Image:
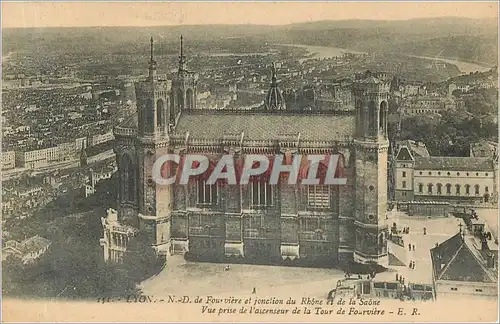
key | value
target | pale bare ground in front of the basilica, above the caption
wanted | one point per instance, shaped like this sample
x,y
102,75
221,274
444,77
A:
x,y
183,277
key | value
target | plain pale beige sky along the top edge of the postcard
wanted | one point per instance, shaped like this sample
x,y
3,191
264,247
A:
x,y
80,14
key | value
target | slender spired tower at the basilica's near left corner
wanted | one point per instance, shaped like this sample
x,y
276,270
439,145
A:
x,y
154,201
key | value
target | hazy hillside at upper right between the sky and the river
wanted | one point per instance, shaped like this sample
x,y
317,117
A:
x,y
462,38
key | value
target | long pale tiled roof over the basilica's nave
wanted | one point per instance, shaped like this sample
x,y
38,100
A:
x,y
261,126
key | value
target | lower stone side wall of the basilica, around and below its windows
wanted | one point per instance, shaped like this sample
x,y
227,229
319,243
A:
x,y
288,221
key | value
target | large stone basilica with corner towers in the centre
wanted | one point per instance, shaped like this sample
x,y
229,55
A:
x,y
320,224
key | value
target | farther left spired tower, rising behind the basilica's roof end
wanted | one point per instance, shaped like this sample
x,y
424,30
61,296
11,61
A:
x,y
184,87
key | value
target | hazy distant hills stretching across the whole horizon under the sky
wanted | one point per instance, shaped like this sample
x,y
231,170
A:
x,y
464,38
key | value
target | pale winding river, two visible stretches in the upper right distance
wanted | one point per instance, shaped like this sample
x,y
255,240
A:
x,y
329,52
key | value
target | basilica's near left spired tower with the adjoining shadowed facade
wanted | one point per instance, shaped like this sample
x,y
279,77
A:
x,y
142,202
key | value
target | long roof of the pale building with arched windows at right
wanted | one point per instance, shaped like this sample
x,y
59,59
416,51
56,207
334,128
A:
x,y
453,163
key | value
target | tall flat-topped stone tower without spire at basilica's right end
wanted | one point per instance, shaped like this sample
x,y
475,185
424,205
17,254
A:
x,y
371,147
